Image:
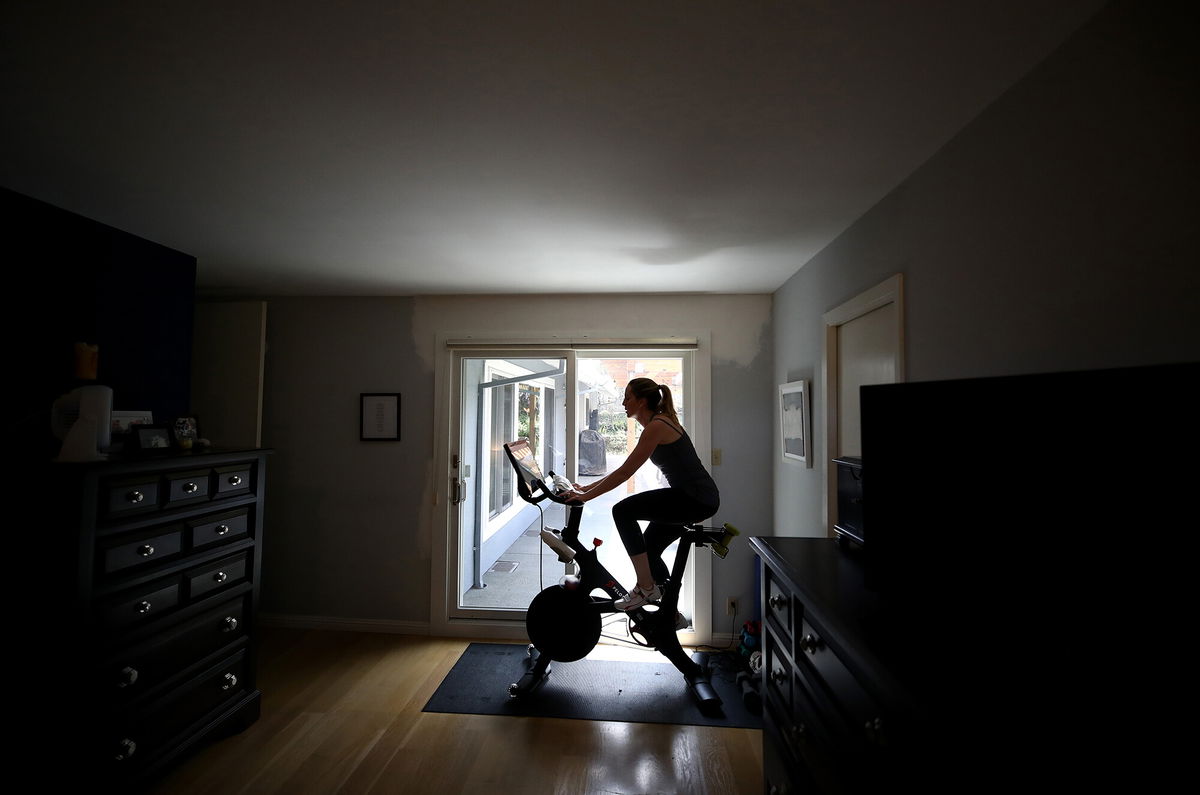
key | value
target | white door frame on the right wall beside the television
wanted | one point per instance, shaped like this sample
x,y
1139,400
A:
x,y
886,292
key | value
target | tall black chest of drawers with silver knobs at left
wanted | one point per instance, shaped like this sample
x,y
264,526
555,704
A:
x,y
157,573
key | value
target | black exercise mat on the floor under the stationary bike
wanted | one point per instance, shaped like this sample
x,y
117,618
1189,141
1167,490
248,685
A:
x,y
590,690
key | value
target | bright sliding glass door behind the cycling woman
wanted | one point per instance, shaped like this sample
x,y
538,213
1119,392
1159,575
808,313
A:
x,y
568,405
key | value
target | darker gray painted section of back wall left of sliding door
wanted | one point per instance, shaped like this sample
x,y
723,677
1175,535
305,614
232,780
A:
x,y
344,517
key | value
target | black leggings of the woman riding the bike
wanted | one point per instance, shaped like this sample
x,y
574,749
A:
x,y
668,511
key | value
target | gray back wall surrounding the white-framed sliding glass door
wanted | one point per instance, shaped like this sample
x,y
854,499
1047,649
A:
x,y
351,525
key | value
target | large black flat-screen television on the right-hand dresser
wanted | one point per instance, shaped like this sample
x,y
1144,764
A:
x,y
992,477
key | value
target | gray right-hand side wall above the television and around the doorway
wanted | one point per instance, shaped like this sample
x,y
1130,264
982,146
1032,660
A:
x,y
1055,232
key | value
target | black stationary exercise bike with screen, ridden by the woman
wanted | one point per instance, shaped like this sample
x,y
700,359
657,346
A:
x,y
565,620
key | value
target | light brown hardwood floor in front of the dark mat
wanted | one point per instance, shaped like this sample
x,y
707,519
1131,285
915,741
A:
x,y
343,714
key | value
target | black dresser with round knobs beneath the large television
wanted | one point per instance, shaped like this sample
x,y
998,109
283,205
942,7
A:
x,y
1006,665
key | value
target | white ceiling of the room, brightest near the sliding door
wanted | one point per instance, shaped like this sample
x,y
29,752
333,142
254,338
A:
x,y
526,146
